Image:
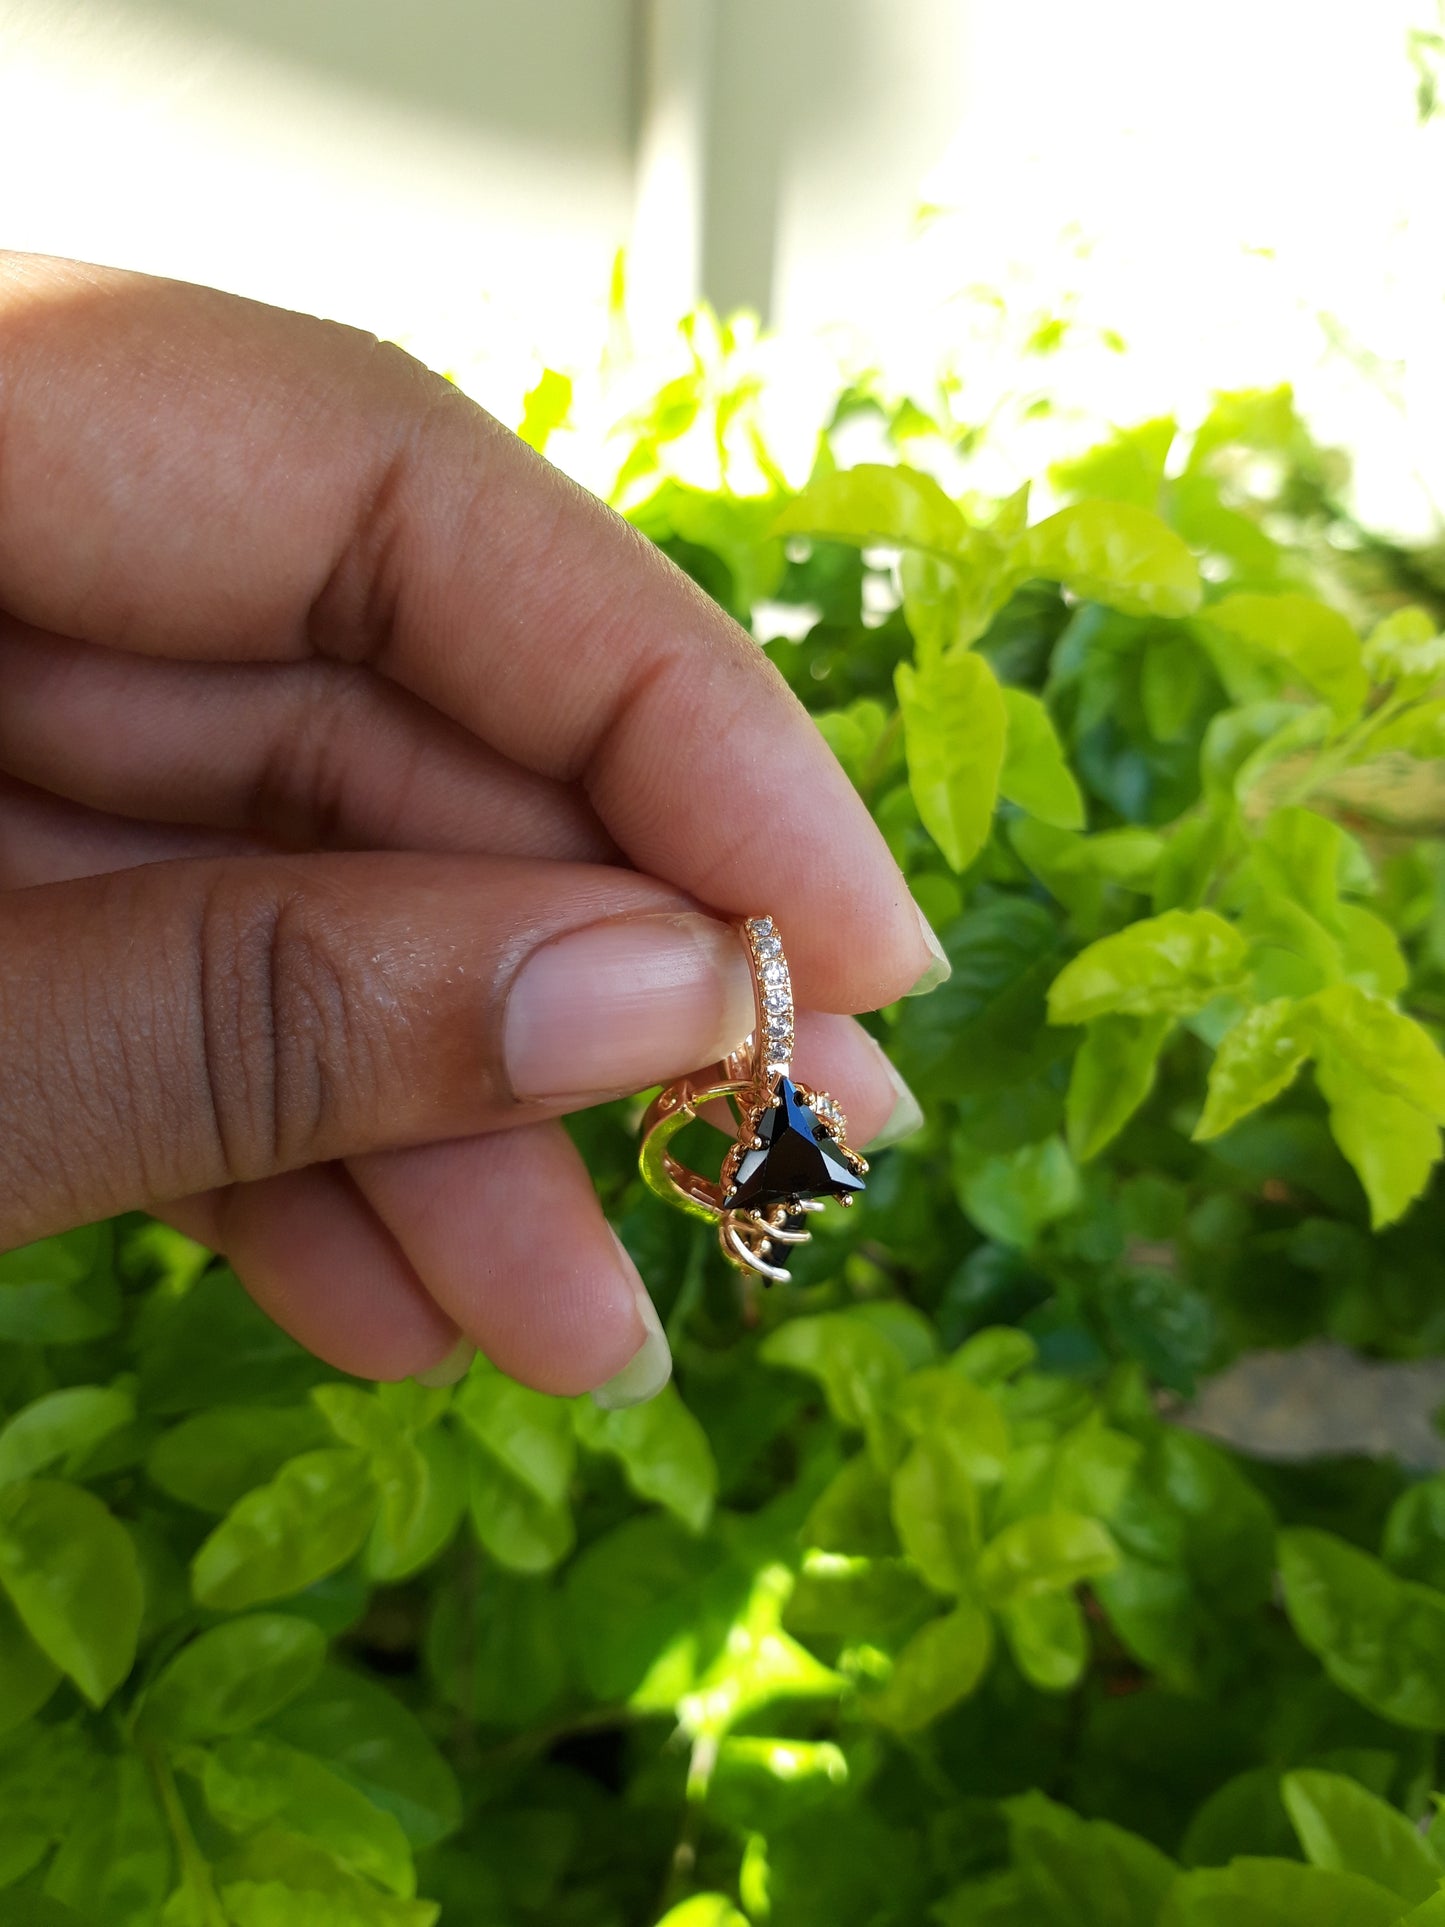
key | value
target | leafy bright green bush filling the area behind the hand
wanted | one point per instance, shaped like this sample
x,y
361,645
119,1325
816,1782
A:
x,y
906,1602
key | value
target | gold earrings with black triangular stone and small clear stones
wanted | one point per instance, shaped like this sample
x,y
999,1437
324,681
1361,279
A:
x,y
791,1149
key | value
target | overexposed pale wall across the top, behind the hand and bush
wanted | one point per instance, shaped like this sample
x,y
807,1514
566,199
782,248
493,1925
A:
x,y
1170,199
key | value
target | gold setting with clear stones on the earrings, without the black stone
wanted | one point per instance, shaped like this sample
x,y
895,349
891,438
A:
x,y
750,1080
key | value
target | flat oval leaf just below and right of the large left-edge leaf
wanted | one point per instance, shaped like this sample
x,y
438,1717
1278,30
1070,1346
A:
x,y
234,1677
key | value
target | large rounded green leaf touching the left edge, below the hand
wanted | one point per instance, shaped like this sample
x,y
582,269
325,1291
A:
x,y
74,1579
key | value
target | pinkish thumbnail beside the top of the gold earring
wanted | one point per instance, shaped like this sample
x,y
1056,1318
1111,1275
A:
x,y
625,1005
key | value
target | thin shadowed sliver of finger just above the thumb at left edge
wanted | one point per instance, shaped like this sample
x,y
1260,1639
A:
x,y
45,839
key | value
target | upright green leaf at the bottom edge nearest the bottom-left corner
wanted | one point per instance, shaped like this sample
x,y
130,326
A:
x,y
115,1864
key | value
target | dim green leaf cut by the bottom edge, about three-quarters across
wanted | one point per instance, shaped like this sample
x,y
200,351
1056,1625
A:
x,y
1086,1872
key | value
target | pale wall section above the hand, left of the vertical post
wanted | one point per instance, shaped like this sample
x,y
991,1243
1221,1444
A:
x,y
388,163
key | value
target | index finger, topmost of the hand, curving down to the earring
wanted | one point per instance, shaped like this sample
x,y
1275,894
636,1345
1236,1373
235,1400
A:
x,y
192,475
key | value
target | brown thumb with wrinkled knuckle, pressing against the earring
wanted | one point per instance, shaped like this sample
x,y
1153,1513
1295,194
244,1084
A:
x,y
184,1026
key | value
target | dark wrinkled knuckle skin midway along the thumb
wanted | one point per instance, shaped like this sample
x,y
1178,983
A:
x,y
294,1051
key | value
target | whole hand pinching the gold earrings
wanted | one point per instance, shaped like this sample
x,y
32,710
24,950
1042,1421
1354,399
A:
x,y
369,797
